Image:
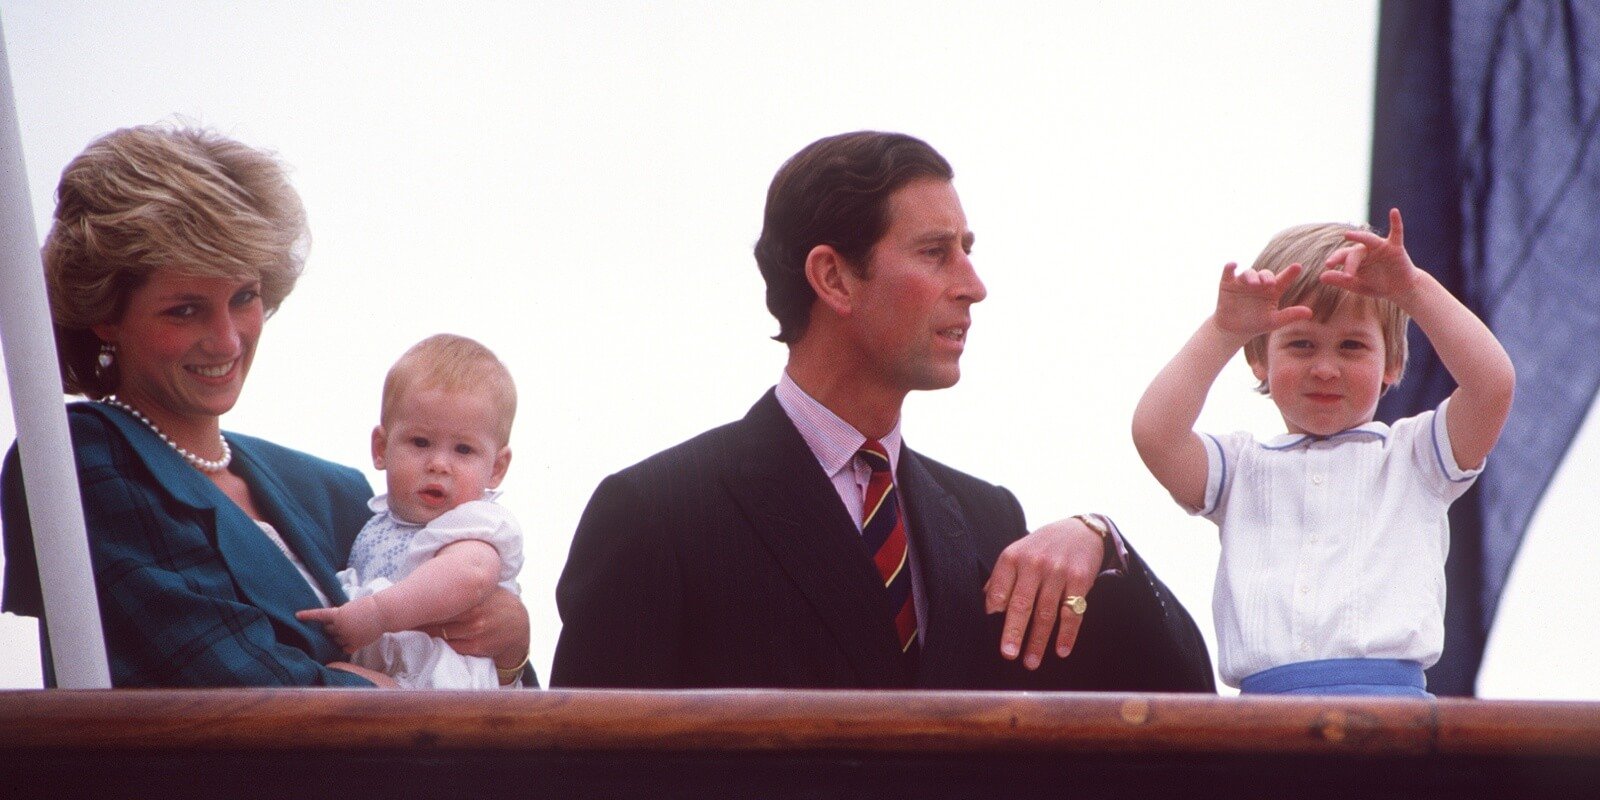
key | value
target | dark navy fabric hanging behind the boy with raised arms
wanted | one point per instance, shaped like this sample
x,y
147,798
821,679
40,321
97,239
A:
x,y
1487,137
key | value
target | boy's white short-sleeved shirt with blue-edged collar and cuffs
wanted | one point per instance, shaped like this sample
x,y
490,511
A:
x,y
1332,546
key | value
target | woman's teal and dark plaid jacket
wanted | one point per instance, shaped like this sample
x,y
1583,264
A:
x,y
191,593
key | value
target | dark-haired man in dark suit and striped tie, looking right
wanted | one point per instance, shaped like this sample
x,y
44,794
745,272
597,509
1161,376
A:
x,y
806,545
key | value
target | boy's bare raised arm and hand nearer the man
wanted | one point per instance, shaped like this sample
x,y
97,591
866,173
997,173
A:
x,y
1166,418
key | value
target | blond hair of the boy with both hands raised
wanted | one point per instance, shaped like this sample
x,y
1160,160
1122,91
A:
x,y
1311,246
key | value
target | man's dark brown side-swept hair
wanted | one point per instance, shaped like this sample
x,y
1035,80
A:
x,y
833,193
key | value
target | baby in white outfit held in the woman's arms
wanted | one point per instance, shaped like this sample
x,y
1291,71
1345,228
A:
x,y
438,543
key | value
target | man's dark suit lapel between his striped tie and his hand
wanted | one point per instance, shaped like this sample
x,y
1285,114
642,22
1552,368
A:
x,y
953,578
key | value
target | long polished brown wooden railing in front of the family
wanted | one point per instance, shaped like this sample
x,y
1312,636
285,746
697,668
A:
x,y
335,743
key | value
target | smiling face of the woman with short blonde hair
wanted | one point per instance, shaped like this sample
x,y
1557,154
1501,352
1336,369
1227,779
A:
x,y
185,345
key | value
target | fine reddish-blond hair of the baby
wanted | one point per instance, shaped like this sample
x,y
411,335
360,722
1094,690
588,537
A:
x,y
454,364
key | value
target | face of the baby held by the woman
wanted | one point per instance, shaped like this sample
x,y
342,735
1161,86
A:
x,y
439,450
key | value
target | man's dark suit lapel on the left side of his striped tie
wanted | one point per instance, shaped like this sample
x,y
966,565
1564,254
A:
x,y
802,522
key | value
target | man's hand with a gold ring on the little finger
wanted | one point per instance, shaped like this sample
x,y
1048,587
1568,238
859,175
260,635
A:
x,y
1031,582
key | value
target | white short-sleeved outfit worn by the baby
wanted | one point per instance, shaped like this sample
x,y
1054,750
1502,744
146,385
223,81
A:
x,y
388,550
